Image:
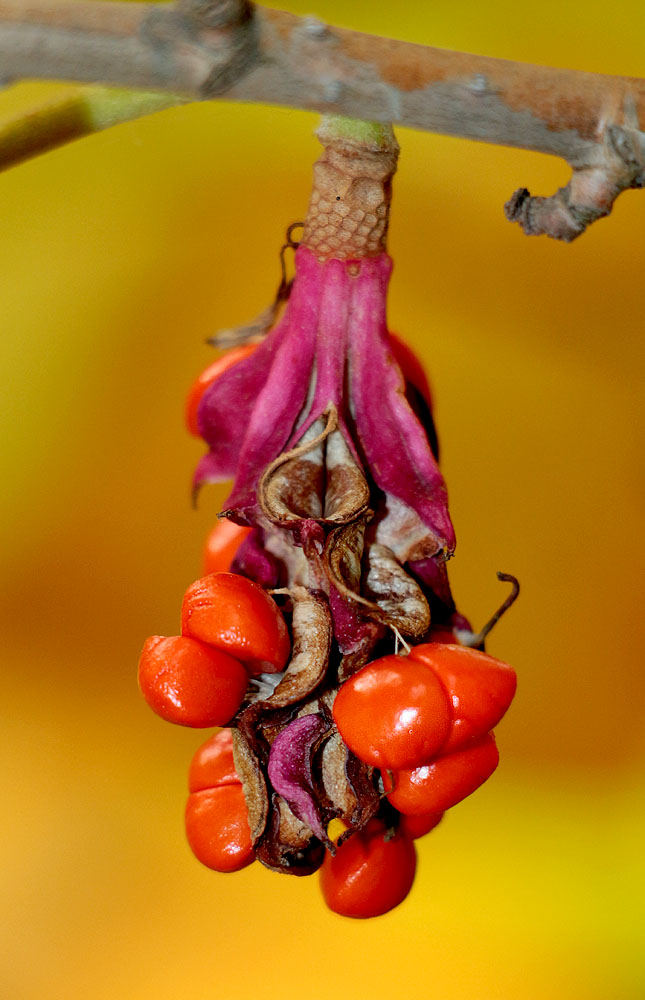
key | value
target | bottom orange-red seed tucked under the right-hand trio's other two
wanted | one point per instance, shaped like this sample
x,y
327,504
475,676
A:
x,y
446,781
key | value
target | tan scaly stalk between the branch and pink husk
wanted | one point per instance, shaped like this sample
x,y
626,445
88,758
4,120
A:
x,y
352,188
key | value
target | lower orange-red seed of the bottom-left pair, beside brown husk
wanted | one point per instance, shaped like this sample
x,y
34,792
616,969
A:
x,y
217,828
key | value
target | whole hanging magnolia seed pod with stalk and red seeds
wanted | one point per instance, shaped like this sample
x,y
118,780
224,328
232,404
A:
x,y
357,702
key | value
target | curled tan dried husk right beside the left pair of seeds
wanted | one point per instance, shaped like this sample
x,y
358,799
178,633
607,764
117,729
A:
x,y
312,635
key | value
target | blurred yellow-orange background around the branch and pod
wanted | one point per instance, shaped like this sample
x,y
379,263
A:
x,y
119,255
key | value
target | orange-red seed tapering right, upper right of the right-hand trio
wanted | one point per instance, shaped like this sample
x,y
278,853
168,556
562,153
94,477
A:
x,y
480,688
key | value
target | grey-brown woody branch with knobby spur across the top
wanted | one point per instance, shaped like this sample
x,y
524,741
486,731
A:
x,y
202,49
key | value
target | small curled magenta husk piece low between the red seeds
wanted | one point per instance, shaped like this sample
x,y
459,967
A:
x,y
290,769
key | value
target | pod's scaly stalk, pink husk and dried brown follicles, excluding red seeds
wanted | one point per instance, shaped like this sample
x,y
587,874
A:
x,y
333,456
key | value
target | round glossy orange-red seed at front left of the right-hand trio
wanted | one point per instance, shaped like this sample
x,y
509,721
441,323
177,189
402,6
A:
x,y
393,713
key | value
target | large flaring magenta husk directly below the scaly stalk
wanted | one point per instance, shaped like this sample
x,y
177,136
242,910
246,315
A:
x,y
330,348
